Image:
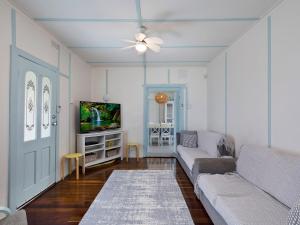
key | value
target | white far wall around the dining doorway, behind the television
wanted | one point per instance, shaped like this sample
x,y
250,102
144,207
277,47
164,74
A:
x,y
125,86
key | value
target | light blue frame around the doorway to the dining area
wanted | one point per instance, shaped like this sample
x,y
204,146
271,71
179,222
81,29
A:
x,y
162,87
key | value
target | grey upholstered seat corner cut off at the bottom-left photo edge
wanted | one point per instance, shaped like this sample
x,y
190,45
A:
x,y
18,218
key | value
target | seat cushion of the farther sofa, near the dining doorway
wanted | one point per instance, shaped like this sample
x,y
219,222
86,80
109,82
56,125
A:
x,y
190,154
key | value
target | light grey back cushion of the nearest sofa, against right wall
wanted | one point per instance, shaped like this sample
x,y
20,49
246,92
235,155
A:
x,y
274,171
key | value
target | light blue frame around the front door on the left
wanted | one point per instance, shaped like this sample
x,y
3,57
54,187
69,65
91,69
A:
x,y
13,126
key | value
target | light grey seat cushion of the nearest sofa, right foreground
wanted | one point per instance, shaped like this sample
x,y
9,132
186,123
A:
x,y
241,203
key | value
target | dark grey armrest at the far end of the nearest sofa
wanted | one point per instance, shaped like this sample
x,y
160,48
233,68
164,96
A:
x,y
213,166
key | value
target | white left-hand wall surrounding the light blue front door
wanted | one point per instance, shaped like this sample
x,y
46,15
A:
x,y
36,41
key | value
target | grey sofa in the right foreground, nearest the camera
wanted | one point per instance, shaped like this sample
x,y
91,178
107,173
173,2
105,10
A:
x,y
262,190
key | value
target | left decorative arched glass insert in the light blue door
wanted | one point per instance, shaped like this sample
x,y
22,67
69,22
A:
x,y
30,106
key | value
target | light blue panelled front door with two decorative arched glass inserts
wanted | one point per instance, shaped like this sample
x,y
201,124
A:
x,y
35,127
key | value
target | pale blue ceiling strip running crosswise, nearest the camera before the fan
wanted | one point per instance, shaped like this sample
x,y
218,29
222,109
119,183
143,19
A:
x,y
108,20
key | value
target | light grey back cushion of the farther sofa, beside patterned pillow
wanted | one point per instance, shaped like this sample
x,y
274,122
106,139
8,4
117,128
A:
x,y
208,142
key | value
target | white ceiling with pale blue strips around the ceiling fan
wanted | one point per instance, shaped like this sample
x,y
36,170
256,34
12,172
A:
x,y
194,31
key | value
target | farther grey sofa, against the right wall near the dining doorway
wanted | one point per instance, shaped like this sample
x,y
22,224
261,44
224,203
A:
x,y
210,145
